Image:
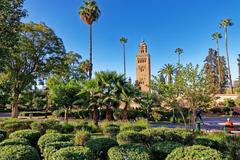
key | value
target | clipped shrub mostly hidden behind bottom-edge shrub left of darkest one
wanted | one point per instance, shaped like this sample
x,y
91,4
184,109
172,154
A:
x,y
53,147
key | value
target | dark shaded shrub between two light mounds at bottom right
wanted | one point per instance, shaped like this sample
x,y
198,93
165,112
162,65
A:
x,y
162,149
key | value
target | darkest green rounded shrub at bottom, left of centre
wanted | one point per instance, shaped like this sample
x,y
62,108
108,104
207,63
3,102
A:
x,y
100,146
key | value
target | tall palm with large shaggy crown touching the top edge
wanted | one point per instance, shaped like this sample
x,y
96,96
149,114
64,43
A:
x,y
89,13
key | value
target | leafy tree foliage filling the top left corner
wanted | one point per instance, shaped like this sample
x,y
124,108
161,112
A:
x,y
11,12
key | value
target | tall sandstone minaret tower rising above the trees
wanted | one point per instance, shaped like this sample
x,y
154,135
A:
x,y
143,68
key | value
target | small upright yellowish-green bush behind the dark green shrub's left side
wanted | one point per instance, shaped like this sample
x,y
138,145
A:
x,y
81,137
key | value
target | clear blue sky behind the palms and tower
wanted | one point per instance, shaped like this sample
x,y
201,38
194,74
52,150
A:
x,y
163,24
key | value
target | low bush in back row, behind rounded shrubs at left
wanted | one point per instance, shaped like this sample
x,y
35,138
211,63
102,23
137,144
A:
x,y
45,125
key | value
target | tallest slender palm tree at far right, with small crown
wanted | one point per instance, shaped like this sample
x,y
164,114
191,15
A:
x,y
225,23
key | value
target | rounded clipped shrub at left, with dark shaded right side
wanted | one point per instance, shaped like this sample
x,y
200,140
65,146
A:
x,y
31,135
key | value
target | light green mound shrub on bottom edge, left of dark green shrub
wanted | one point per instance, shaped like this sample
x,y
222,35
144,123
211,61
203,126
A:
x,y
72,153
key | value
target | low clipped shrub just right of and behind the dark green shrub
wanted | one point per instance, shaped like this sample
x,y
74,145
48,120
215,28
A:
x,y
130,137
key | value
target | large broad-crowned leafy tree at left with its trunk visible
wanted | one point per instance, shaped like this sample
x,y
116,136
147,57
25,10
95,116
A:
x,y
38,53
